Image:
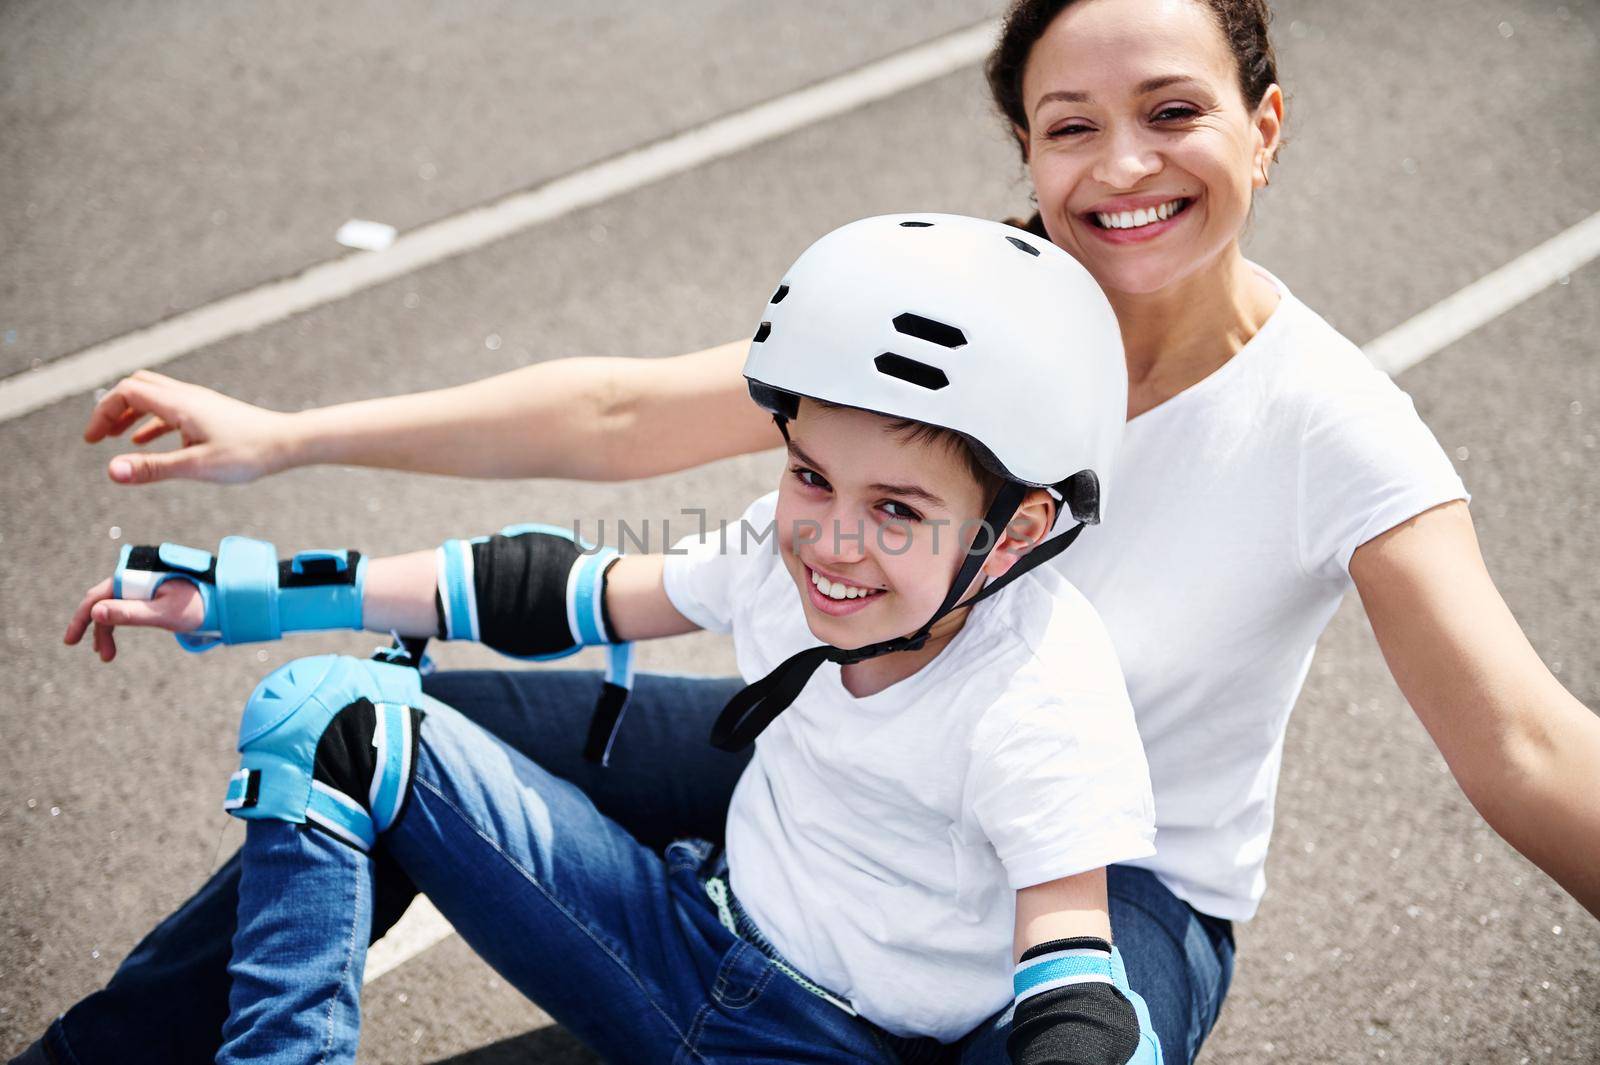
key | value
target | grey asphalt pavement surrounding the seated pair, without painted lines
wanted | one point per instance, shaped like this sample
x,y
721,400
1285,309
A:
x,y
161,156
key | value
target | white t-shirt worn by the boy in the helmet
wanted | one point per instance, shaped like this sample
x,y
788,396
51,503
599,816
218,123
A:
x,y
879,842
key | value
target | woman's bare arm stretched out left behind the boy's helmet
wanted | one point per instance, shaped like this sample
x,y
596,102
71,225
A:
x,y
577,418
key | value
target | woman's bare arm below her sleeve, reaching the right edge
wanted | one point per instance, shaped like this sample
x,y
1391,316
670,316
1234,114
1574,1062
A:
x,y
1522,748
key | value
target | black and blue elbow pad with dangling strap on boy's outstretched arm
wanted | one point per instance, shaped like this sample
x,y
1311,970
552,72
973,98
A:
x,y
538,592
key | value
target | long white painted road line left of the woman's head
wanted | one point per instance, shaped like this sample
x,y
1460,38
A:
x,y
473,229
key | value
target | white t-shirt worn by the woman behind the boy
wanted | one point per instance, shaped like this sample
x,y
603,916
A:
x,y
1231,522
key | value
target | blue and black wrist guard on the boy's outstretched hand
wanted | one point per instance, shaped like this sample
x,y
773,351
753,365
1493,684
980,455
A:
x,y
249,594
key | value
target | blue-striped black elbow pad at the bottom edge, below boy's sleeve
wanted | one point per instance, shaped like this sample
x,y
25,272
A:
x,y
1074,1007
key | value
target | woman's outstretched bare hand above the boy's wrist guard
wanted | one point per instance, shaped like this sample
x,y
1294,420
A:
x,y
223,439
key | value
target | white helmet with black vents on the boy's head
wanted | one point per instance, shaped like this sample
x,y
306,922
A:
x,y
964,324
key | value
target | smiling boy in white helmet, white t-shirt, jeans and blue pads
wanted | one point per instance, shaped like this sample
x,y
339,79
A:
x,y
938,788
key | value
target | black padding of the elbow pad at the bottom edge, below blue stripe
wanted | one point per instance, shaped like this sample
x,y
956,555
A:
x,y
1082,1024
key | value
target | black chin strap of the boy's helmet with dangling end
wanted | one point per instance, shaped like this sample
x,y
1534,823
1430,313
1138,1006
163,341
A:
x,y
759,704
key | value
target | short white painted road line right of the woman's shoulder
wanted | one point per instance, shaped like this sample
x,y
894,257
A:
x,y
1486,300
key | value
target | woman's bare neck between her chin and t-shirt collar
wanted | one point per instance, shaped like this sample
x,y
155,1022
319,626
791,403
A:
x,y
1183,333
